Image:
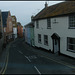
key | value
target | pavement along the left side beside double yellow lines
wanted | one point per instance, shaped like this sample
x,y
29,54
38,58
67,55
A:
x,y
3,58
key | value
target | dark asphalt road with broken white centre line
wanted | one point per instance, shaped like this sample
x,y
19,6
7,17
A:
x,y
22,60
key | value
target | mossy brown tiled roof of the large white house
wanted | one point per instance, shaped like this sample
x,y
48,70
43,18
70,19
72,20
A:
x,y
59,9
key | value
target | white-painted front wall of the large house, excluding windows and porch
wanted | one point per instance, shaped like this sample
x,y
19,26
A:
x,y
61,28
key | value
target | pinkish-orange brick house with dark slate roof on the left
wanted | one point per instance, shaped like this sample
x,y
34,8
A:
x,y
7,26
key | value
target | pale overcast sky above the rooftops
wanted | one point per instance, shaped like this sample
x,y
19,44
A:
x,y
23,10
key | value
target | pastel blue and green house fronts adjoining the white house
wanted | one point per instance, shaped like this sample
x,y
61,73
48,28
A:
x,y
29,33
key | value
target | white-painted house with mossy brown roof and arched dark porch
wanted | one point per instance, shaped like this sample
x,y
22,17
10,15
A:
x,y
55,28
